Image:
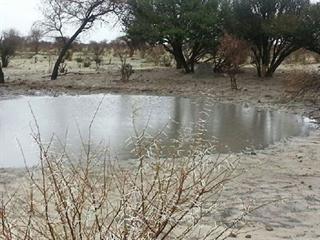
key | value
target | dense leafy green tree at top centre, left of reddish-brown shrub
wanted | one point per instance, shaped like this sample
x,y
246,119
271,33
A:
x,y
186,29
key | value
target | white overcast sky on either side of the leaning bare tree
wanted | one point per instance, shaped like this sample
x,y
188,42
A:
x,y
21,14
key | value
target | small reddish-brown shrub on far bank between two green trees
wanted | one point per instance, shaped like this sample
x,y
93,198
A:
x,y
234,52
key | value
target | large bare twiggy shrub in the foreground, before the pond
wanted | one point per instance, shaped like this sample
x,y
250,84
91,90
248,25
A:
x,y
164,195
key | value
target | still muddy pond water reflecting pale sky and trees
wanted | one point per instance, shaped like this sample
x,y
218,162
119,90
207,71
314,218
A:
x,y
236,127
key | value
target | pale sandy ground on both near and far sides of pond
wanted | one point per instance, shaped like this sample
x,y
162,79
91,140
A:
x,y
288,170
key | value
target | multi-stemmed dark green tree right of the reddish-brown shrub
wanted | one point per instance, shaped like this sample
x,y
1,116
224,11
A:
x,y
272,27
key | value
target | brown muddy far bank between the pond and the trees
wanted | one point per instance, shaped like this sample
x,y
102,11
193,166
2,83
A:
x,y
268,93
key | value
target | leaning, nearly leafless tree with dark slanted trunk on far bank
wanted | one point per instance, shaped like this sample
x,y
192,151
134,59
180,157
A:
x,y
81,15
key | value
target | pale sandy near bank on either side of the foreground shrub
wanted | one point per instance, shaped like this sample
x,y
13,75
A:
x,y
287,173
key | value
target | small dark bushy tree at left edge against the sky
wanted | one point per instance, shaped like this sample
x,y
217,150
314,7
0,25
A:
x,y
9,42
